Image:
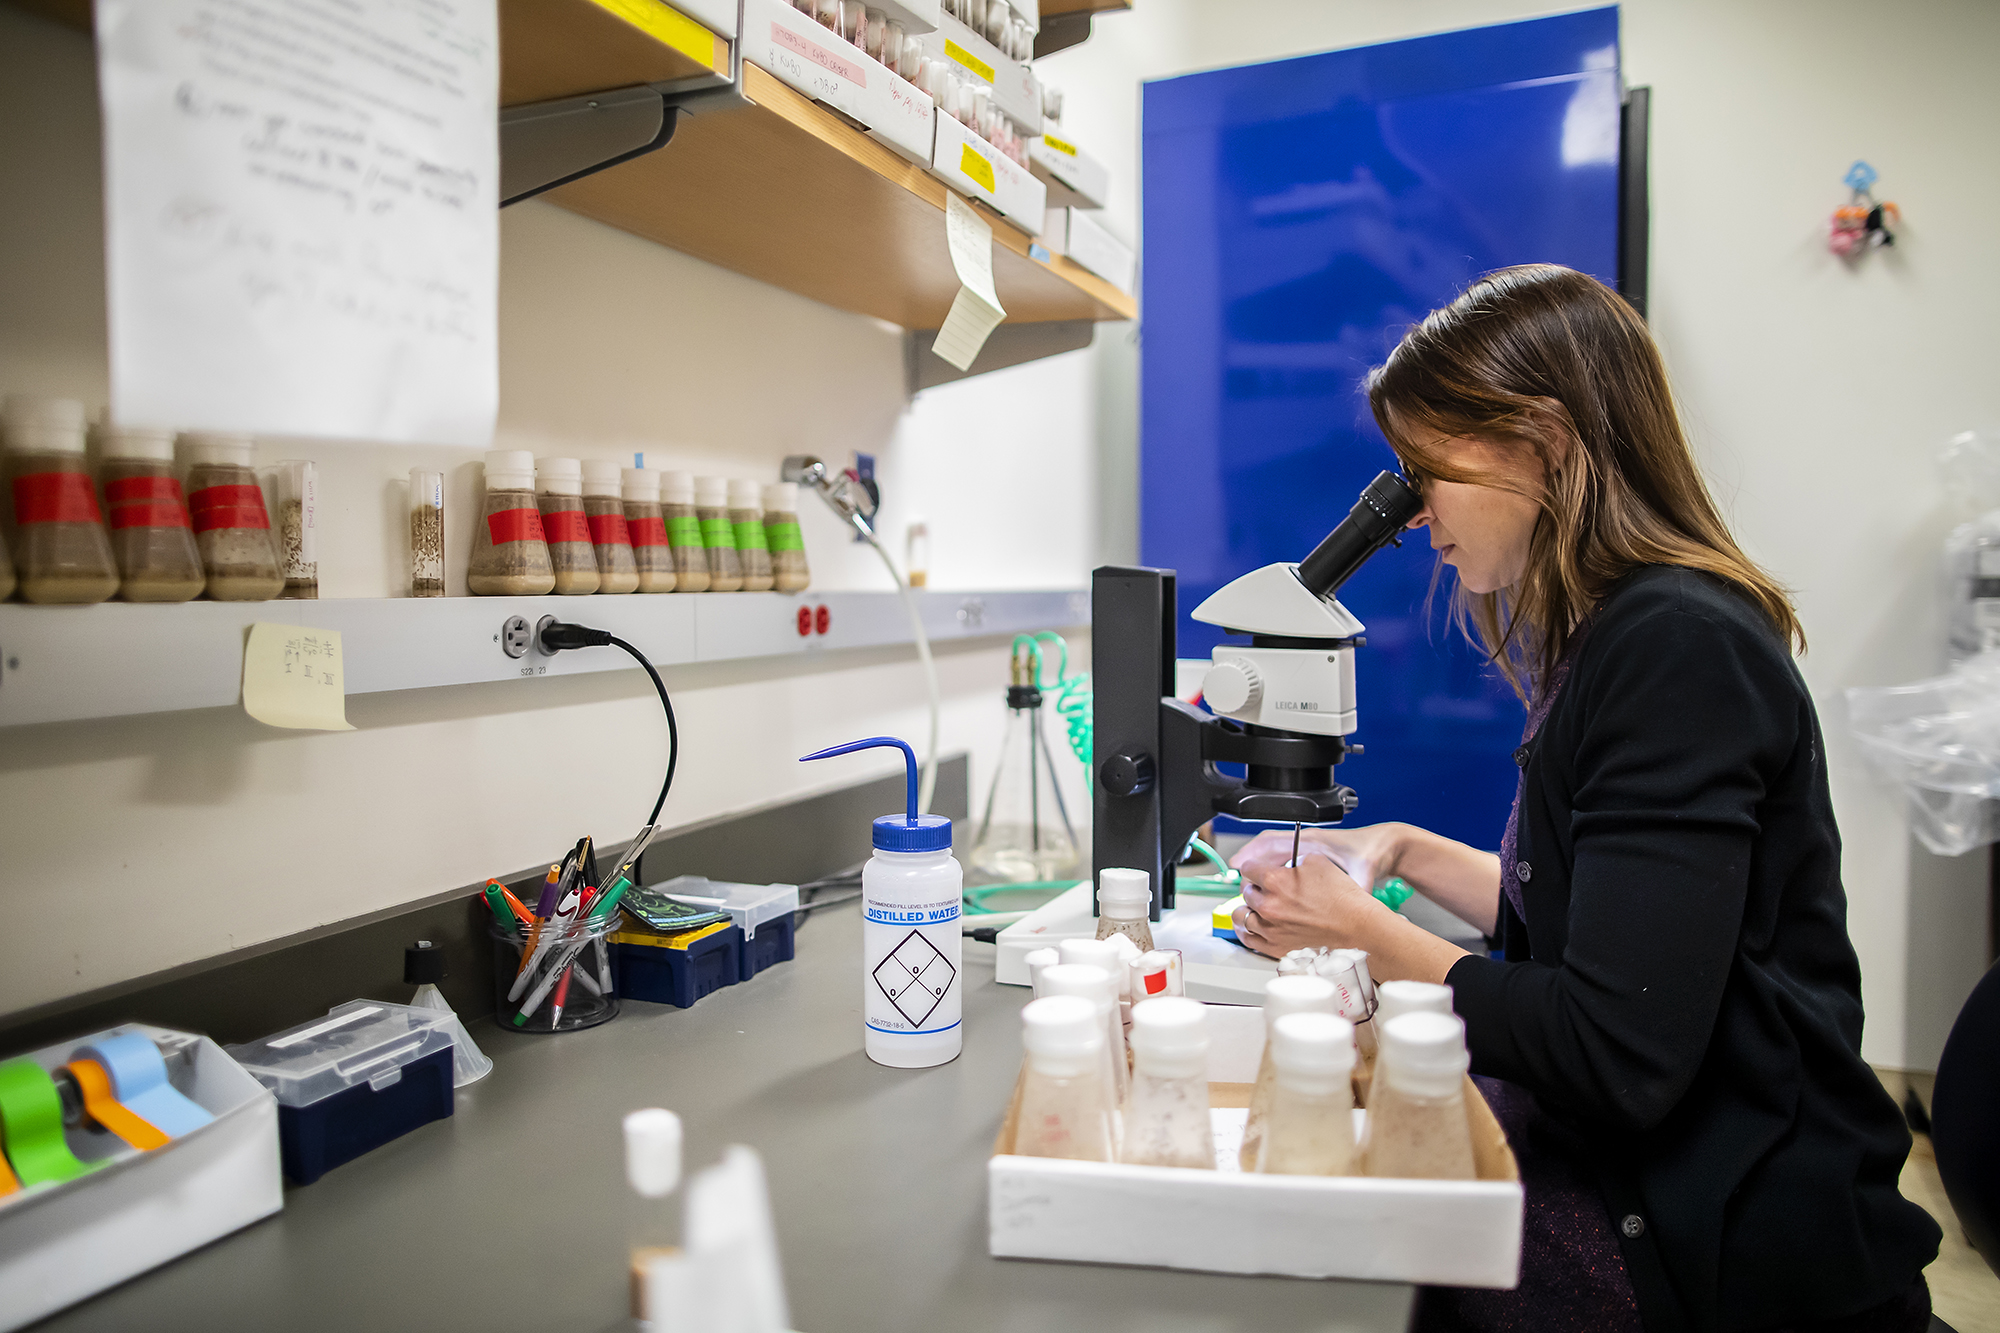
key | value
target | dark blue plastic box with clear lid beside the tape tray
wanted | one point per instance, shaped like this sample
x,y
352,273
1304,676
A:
x,y
347,1084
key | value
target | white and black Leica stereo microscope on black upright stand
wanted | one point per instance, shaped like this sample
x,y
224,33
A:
x,y
1283,704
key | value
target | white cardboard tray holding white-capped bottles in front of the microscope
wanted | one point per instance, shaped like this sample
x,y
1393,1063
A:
x,y
1459,1234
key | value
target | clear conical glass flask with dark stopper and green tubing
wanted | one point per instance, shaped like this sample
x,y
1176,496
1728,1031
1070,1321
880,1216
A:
x,y
1025,834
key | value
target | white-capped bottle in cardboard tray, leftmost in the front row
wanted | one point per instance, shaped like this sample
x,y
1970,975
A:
x,y
1065,1108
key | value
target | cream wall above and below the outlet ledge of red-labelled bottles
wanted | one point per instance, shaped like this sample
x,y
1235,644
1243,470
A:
x,y
185,836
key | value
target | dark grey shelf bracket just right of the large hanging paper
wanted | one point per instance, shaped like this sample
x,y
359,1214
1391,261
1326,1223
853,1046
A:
x,y
547,145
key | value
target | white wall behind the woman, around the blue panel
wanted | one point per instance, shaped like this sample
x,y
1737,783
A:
x,y
1817,393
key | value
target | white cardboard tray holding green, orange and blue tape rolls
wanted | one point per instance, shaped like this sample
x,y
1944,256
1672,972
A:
x,y
67,1242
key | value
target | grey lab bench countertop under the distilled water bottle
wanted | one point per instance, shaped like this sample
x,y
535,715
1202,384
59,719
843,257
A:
x,y
515,1212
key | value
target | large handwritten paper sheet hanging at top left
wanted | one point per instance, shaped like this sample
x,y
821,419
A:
x,y
301,211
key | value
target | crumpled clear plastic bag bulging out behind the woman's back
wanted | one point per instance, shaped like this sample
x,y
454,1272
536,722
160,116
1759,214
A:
x,y
1939,742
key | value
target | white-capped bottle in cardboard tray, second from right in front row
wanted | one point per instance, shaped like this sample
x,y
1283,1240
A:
x,y
1311,1122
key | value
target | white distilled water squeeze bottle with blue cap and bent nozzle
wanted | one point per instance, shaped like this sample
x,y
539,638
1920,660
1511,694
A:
x,y
913,892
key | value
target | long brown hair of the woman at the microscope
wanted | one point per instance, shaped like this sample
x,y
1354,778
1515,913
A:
x,y
1559,373
